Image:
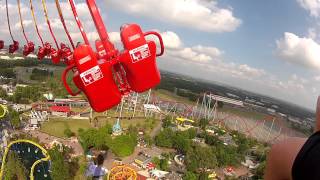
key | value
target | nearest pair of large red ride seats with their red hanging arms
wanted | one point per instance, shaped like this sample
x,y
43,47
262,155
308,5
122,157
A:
x,y
94,74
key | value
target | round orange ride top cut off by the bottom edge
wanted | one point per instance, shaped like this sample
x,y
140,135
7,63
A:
x,y
122,172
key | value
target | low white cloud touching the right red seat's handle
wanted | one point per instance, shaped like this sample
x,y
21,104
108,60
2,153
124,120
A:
x,y
200,59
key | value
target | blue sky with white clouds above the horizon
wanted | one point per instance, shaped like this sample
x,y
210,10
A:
x,y
269,47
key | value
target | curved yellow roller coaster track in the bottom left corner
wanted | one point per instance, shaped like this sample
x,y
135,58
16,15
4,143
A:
x,y
45,153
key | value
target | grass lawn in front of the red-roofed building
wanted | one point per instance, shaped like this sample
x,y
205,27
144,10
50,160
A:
x,y
57,126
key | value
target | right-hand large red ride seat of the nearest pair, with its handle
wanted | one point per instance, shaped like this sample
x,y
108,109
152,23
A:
x,y
139,58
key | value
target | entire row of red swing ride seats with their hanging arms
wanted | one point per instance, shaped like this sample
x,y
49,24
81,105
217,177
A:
x,y
108,74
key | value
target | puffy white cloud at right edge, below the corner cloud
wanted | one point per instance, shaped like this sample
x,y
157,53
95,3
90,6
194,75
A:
x,y
299,50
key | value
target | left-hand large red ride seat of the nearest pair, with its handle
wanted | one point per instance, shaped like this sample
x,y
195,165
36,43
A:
x,y
96,79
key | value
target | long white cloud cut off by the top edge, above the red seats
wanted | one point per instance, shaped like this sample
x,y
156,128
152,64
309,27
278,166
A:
x,y
195,14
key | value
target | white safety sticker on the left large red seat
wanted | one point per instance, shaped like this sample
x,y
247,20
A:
x,y
92,75
